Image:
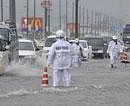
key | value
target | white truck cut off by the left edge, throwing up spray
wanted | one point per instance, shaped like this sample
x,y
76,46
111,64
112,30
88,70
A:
x,y
8,39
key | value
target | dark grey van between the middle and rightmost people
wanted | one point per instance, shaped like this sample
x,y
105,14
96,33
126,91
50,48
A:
x,y
97,43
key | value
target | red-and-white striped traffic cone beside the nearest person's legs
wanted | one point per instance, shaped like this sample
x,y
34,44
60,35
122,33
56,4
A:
x,y
44,77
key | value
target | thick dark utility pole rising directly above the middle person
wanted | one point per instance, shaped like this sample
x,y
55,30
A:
x,y
76,18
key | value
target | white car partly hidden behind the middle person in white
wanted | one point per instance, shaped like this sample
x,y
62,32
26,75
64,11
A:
x,y
87,51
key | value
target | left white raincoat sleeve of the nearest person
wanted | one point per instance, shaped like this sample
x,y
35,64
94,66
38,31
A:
x,y
51,55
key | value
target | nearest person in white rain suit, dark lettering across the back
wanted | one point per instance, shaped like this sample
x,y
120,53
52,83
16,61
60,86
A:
x,y
60,59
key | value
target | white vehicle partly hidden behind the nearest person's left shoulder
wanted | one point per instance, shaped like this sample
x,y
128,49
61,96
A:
x,y
48,43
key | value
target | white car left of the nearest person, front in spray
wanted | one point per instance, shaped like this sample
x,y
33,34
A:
x,y
26,50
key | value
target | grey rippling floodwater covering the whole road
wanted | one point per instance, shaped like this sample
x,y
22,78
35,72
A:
x,y
93,84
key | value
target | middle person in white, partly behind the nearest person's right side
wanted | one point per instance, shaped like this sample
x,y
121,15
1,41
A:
x,y
77,53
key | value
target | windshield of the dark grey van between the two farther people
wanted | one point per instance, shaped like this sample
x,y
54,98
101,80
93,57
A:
x,y
95,41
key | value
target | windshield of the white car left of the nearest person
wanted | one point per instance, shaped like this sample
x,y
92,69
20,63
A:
x,y
26,46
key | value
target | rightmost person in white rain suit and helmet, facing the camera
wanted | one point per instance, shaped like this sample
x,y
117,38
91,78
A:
x,y
114,50
